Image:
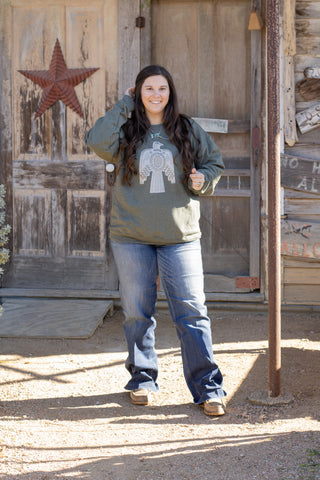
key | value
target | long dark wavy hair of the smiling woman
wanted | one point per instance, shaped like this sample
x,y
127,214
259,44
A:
x,y
176,125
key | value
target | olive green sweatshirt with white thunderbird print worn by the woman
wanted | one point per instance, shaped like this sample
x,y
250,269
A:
x,y
158,208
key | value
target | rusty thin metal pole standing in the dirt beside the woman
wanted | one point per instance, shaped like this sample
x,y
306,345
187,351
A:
x,y
274,275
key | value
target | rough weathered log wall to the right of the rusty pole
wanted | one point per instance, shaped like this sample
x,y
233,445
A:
x,y
301,158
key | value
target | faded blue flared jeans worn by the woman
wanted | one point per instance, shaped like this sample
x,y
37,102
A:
x,y
180,270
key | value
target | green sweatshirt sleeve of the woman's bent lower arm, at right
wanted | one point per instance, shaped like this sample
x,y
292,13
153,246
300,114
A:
x,y
209,162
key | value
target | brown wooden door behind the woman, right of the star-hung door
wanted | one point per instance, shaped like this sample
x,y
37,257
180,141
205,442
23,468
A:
x,y
215,61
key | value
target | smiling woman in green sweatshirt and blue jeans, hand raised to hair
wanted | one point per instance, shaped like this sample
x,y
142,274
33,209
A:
x,y
165,161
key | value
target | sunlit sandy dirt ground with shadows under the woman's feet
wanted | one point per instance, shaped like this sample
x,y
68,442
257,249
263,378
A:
x,y
64,413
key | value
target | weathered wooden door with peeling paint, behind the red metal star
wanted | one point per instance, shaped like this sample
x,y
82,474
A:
x,y
57,197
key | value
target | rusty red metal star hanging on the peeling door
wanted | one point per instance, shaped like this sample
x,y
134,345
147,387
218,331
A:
x,y
58,82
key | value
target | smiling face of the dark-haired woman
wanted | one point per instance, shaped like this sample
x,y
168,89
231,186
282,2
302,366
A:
x,y
155,94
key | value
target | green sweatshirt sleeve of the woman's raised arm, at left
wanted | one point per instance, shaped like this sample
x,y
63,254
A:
x,y
104,137
